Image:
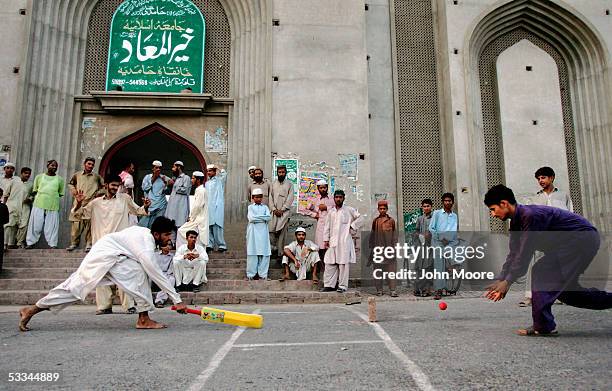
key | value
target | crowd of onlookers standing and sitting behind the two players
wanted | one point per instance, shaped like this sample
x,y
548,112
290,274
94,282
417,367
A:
x,y
101,206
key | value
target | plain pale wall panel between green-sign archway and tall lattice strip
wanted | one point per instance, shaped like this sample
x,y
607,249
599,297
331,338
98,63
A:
x,y
320,102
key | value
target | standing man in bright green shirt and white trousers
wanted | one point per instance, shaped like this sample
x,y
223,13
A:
x,y
48,188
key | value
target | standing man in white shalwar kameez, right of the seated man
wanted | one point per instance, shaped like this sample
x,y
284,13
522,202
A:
x,y
341,251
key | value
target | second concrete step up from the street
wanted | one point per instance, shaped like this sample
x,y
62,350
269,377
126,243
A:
x,y
45,284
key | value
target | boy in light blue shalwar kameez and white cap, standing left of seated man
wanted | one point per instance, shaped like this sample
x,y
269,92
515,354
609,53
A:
x,y
258,241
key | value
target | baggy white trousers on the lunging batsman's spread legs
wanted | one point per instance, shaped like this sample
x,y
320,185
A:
x,y
126,274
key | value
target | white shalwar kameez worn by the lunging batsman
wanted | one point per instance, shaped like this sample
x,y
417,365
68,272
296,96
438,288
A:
x,y
126,259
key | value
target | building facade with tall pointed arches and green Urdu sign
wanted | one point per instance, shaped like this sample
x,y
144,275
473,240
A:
x,y
393,99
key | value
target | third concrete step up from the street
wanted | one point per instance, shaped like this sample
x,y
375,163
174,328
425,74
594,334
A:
x,y
213,272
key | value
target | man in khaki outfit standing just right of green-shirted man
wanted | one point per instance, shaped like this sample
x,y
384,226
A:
x,y
91,185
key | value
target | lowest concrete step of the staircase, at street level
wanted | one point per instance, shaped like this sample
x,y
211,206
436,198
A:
x,y
210,297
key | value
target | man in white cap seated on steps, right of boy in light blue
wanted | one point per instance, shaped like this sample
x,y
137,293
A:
x,y
300,257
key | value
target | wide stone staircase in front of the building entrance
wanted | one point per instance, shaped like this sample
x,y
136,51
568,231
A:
x,y
28,275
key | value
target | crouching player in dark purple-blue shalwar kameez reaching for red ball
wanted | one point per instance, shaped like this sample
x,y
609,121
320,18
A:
x,y
569,243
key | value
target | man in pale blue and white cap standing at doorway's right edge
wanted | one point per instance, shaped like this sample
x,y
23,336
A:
x,y
215,186
